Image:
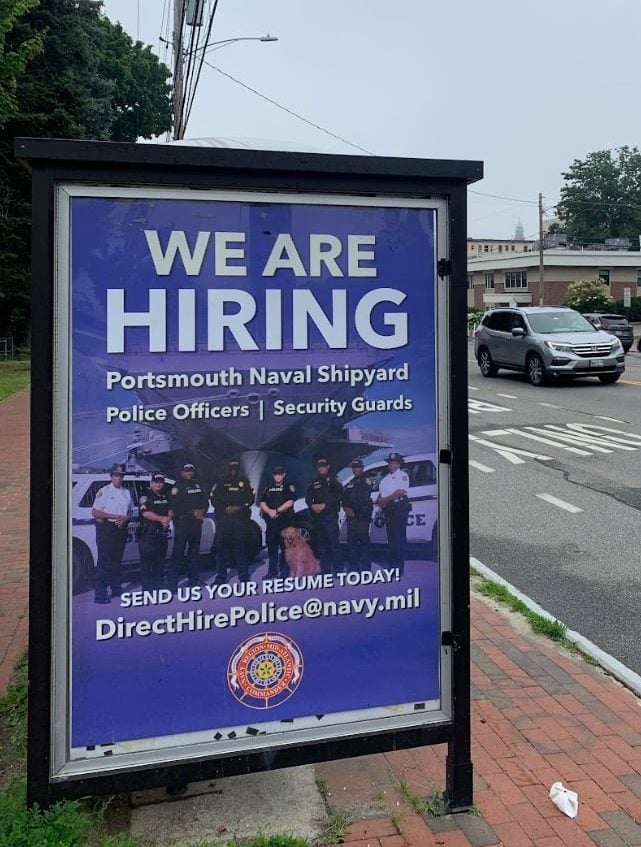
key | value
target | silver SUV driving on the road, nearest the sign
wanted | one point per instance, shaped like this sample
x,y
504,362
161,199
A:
x,y
546,341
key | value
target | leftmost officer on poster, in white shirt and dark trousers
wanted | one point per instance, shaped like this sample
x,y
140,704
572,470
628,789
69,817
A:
x,y
111,510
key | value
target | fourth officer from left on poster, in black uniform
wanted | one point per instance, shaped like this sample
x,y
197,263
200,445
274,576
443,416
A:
x,y
232,498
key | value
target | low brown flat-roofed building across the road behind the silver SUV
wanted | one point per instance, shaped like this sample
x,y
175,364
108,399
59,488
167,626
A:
x,y
500,280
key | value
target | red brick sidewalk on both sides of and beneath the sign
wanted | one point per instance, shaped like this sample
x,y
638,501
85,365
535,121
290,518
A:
x,y
539,716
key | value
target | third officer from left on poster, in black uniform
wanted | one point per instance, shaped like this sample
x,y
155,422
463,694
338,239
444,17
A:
x,y
188,504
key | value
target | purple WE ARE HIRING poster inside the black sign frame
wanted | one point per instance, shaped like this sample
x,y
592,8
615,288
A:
x,y
253,490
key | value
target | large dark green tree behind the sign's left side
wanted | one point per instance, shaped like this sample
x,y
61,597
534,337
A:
x,y
89,81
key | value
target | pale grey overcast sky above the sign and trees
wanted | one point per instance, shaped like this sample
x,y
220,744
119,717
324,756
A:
x,y
526,87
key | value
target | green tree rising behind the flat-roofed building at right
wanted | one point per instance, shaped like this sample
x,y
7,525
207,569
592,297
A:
x,y
602,197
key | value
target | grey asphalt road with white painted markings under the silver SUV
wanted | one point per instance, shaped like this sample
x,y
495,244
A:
x,y
555,498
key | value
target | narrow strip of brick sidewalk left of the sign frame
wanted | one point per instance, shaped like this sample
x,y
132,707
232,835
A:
x,y
14,531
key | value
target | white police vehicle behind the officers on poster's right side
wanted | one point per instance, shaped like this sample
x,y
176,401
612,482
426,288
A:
x,y
423,496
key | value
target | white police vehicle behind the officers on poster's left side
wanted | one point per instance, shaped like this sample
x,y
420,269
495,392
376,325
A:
x,y
84,549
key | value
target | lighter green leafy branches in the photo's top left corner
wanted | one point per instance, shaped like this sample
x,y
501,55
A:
x,y
13,61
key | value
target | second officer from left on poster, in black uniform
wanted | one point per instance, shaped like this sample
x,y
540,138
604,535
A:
x,y
155,518
